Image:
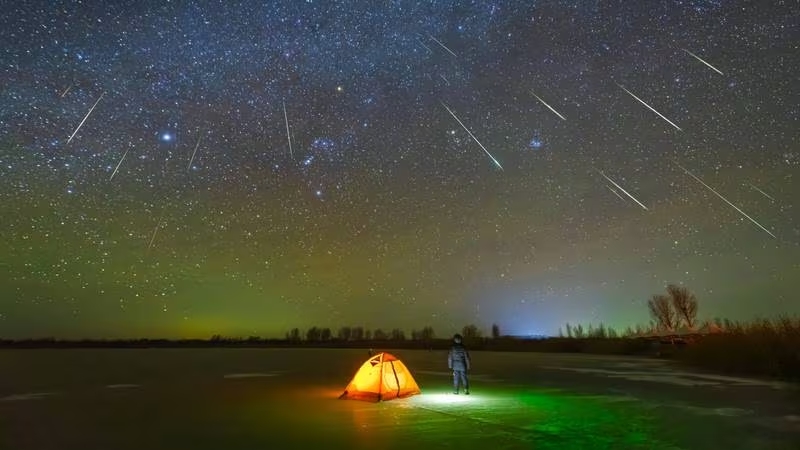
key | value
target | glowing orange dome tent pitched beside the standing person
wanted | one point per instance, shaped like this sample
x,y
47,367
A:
x,y
382,377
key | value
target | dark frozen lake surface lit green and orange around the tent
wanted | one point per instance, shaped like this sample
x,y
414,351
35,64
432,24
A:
x,y
287,398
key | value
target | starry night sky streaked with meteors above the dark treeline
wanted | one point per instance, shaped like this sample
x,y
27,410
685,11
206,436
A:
x,y
187,168
